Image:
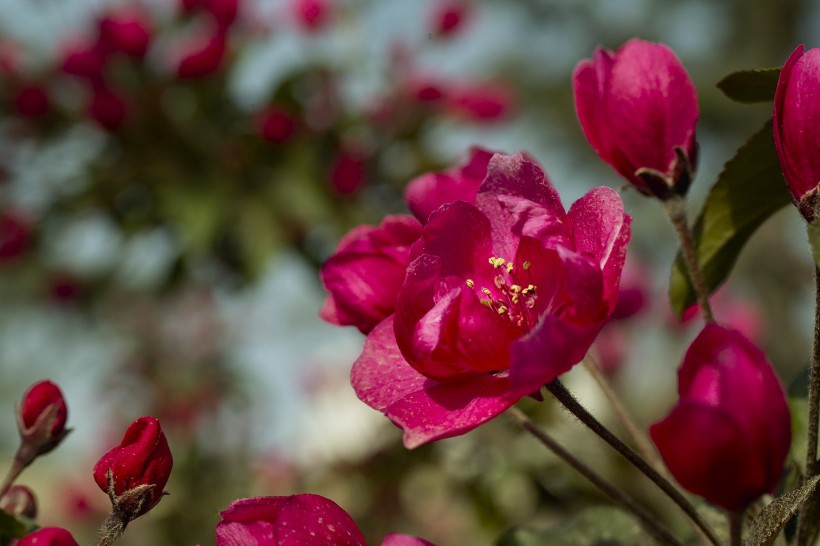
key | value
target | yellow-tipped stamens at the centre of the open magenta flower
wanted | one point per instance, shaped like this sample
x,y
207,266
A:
x,y
512,294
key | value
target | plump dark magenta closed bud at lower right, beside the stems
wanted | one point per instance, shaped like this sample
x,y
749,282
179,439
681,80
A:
x,y
728,436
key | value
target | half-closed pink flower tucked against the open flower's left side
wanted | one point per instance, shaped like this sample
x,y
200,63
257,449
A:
x,y
365,273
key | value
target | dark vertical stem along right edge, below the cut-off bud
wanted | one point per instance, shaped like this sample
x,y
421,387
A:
x,y
814,413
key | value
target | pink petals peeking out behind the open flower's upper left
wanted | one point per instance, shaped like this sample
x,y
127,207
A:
x,y
429,191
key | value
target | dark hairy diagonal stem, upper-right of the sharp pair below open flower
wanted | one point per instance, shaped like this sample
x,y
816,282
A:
x,y
573,406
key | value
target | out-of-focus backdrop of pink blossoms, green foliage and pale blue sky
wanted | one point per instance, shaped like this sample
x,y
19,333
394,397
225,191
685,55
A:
x,y
174,172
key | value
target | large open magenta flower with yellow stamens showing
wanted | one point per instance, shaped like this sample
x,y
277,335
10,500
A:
x,y
501,297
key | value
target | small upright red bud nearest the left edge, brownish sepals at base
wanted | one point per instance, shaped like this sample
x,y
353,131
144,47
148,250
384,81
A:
x,y
41,420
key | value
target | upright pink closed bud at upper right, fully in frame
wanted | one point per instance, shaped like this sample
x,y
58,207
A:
x,y
636,107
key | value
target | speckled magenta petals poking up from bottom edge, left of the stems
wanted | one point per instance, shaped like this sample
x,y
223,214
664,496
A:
x,y
294,521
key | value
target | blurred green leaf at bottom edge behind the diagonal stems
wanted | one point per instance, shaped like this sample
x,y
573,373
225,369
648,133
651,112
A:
x,y
598,526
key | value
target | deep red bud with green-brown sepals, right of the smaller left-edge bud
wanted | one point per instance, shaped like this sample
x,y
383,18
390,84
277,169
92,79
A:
x,y
135,472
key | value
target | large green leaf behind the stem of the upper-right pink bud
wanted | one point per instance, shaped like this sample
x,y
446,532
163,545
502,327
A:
x,y
747,192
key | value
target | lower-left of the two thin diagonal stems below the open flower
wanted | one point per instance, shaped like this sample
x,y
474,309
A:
x,y
648,521
